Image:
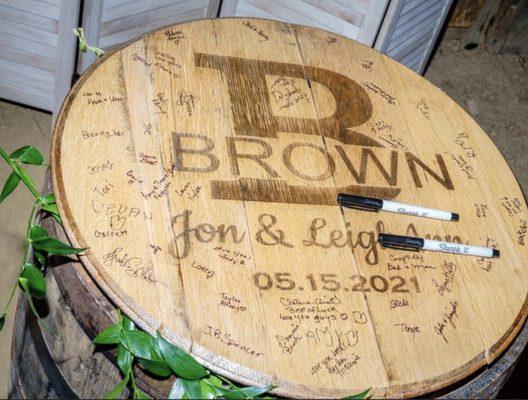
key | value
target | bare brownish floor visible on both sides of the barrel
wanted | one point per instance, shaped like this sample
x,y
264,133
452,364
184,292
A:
x,y
492,88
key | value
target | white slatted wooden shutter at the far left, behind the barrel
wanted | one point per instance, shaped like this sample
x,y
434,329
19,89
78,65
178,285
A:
x,y
37,49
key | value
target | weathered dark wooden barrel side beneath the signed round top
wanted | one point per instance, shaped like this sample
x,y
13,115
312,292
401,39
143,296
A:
x,y
54,358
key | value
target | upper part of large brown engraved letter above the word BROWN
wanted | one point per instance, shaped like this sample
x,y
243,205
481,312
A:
x,y
250,99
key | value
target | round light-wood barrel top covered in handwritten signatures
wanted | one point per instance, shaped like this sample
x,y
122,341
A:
x,y
200,165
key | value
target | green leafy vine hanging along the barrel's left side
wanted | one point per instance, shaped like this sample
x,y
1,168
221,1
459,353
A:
x,y
31,276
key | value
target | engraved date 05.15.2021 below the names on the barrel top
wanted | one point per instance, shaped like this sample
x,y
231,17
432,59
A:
x,y
330,282
